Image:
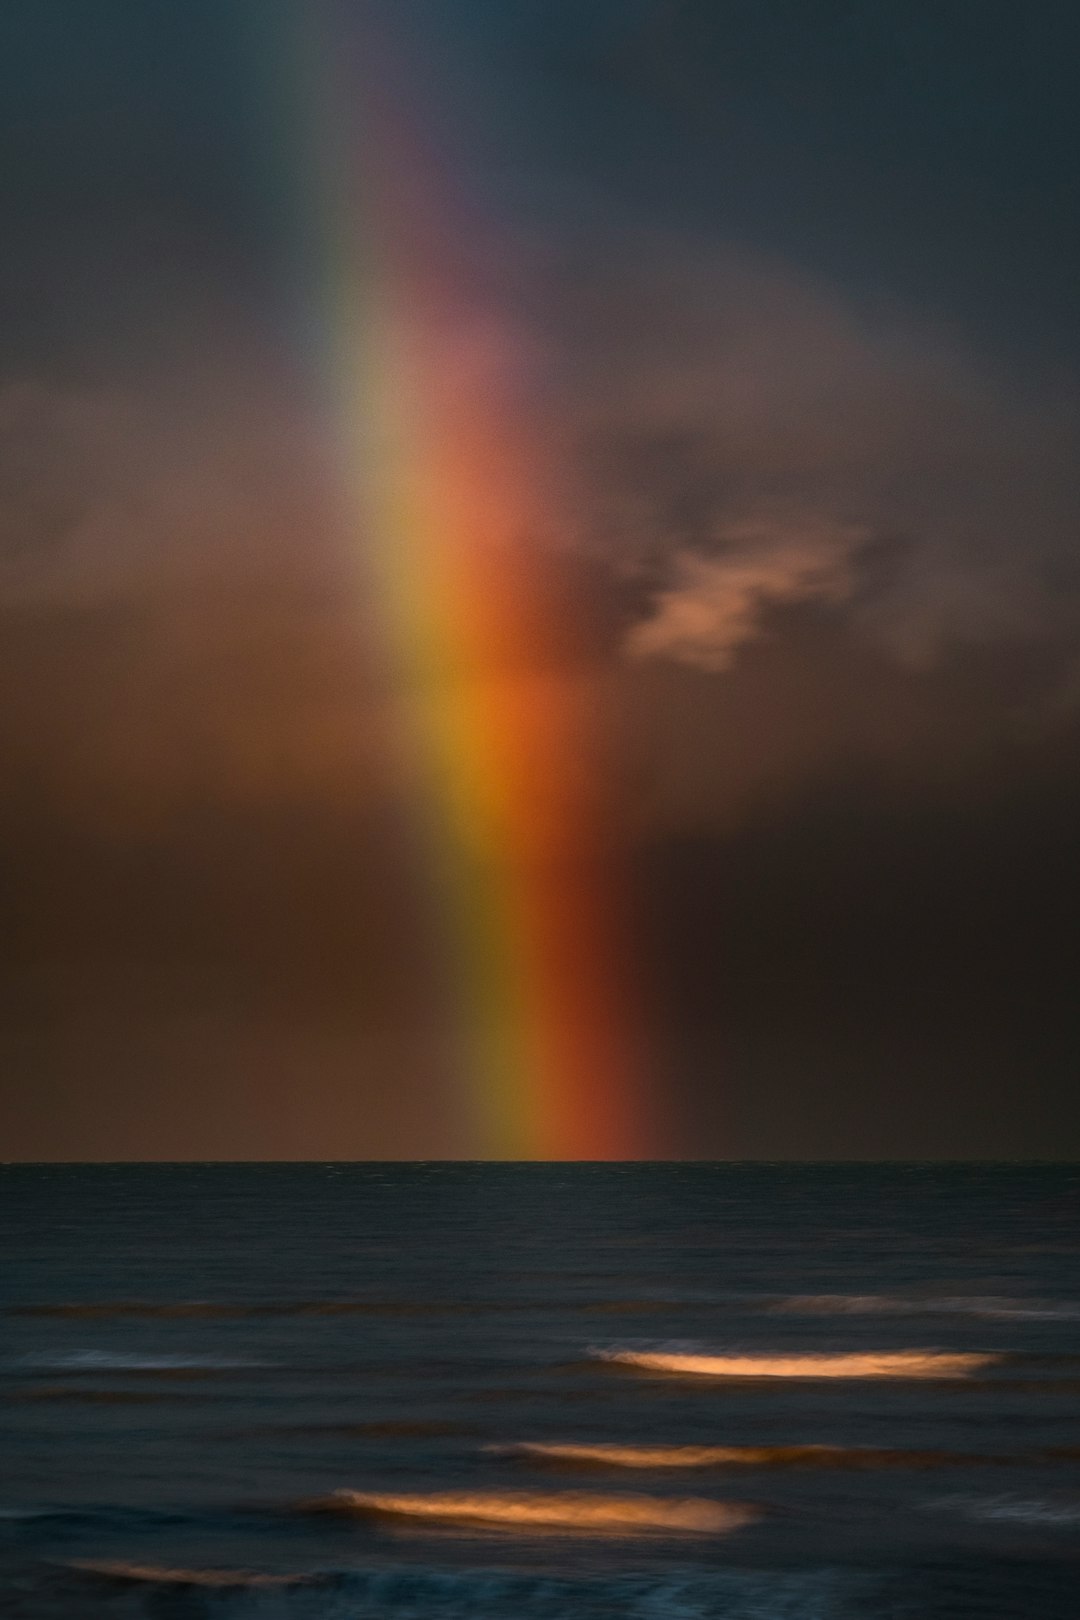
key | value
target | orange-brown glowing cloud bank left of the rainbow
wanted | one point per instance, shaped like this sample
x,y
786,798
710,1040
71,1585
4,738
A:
x,y
181,616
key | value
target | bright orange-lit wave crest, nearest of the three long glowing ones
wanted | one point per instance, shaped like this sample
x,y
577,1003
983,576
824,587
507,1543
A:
x,y
576,1512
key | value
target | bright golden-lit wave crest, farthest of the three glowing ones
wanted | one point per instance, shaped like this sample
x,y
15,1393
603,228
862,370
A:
x,y
806,1365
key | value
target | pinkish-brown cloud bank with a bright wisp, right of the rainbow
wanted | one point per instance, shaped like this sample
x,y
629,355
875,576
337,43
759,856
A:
x,y
734,425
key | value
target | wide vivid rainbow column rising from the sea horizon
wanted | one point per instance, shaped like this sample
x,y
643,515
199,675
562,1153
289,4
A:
x,y
491,717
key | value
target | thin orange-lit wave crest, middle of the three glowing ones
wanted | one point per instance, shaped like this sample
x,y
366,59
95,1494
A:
x,y
569,1456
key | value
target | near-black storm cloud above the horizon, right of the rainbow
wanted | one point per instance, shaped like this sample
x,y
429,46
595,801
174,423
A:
x,y
875,971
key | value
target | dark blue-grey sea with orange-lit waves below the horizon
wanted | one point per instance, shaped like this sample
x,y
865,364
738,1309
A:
x,y
658,1392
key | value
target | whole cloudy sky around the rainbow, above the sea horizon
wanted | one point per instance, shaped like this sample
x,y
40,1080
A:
x,y
784,302
